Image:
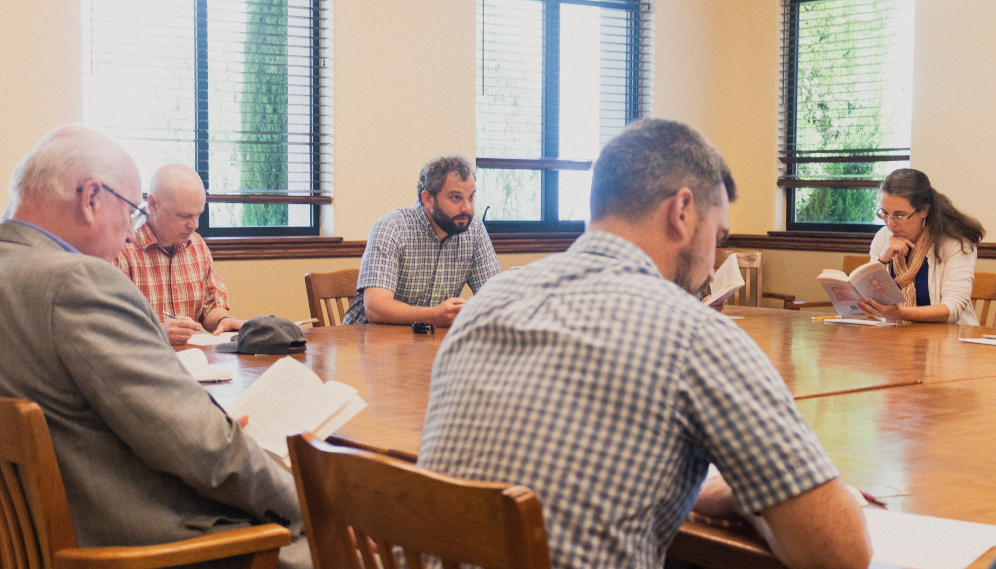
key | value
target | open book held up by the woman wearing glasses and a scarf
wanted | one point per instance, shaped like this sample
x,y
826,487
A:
x,y
871,280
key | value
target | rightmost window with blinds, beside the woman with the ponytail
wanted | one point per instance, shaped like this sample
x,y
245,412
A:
x,y
847,108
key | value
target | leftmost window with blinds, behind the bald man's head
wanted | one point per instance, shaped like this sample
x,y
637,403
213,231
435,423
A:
x,y
238,90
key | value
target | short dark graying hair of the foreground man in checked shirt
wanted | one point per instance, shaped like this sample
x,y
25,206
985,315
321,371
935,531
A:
x,y
649,162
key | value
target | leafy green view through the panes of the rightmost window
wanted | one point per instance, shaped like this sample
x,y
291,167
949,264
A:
x,y
844,101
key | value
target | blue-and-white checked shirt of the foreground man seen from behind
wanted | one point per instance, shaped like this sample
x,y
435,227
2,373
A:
x,y
605,388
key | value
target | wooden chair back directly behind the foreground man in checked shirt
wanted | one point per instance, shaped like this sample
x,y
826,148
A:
x,y
387,502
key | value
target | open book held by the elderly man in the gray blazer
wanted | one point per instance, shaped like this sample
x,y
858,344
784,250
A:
x,y
289,397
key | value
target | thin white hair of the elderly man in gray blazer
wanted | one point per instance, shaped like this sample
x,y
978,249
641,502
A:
x,y
65,158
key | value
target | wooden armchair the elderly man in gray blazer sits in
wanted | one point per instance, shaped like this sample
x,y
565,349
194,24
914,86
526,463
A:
x,y
36,528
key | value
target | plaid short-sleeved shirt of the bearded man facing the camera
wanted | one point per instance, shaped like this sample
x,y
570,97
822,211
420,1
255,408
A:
x,y
404,255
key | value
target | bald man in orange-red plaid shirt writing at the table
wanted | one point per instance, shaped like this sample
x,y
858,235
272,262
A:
x,y
170,262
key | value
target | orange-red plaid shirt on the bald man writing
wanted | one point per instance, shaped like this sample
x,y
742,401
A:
x,y
183,284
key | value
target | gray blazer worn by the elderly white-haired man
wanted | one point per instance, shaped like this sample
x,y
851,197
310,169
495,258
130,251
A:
x,y
146,456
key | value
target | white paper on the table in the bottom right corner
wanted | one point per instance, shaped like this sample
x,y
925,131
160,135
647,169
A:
x,y
926,542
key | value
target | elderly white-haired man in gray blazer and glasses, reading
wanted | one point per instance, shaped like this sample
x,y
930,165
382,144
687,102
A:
x,y
145,454
